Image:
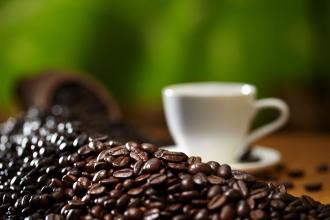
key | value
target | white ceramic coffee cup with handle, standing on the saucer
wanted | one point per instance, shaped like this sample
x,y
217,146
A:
x,y
212,119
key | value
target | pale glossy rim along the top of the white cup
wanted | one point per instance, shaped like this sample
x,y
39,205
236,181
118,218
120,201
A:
x,y
243,89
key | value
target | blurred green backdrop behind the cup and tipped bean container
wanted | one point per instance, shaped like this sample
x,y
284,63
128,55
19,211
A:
x,y
138,47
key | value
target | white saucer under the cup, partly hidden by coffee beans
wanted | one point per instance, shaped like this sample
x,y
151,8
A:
x,y
269,157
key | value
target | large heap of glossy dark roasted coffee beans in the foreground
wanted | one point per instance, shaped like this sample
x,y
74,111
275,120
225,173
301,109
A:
x,y
51,168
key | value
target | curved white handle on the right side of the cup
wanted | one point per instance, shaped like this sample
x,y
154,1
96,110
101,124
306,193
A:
x,y
278,104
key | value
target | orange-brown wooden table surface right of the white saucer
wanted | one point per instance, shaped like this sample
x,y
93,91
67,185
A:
x,y
303,151
